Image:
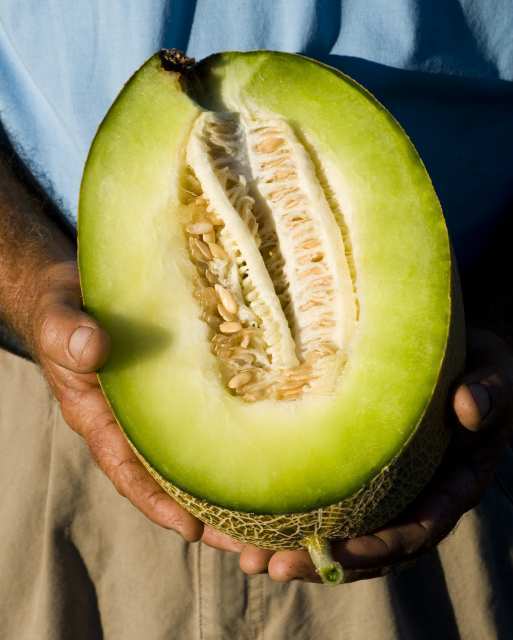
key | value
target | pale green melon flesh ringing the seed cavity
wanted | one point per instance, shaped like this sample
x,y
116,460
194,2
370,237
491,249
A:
x,y
162,379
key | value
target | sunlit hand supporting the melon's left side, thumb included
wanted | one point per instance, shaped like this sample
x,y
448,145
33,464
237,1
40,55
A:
x,y
70,347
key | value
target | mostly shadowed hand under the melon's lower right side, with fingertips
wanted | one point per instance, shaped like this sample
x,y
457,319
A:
x,y
483,411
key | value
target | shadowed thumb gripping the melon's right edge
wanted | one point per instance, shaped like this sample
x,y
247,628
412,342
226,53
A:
x,y
482,400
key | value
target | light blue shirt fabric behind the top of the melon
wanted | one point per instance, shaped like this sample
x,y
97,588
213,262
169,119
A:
x,y
443,67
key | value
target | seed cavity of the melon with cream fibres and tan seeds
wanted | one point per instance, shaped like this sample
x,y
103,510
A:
x,y
272,276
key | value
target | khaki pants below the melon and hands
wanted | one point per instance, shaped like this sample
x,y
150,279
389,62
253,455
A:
x,y
77,561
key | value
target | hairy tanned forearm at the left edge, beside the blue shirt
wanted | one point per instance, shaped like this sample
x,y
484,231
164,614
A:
x,y
30,244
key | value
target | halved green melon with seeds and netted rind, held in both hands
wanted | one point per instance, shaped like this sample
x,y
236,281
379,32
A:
x,y
265,247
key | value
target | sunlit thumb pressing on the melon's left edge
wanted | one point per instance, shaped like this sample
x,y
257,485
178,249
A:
x,y
71,338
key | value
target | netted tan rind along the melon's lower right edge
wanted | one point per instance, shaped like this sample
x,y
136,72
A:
x,y
376,503
